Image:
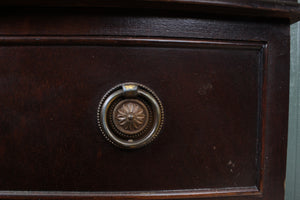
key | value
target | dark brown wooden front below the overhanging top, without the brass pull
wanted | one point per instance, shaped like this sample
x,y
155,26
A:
x,y
223,82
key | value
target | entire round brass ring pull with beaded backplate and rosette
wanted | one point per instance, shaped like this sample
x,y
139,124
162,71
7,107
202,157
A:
x,y
130,115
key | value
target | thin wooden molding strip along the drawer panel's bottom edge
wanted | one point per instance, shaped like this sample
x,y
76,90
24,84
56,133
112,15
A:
x,y
166,194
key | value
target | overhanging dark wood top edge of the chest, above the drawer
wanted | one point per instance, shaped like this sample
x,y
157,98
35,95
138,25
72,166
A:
x,y
278,9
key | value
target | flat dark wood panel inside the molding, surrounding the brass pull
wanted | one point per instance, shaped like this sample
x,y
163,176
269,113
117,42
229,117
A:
x,y
56,138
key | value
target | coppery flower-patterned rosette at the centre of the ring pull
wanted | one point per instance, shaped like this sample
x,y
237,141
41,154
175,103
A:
x,y
131,116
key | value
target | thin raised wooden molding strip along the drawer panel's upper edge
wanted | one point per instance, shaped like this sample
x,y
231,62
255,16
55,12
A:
x,y
129,41
